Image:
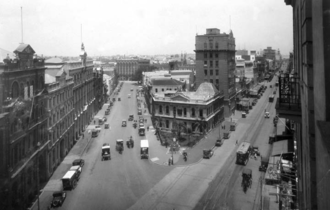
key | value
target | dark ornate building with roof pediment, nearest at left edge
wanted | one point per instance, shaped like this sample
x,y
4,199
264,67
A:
x,y
24,126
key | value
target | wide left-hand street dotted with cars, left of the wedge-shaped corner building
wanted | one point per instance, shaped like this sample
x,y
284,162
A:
x,y
119,182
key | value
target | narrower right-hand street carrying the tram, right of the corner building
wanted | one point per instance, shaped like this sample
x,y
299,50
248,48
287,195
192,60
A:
x,y
226,192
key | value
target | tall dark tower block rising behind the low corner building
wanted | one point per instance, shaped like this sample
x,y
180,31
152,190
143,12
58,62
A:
x,y
215,63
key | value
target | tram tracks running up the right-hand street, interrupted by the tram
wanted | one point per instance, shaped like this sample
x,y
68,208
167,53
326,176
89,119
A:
x,y
219,189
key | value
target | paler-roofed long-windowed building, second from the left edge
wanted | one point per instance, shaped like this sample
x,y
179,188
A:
x,y
60,110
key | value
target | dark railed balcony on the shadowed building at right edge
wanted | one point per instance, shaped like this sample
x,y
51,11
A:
x,y
288,104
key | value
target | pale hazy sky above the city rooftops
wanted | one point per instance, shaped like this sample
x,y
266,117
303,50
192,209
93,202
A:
x,y
141,27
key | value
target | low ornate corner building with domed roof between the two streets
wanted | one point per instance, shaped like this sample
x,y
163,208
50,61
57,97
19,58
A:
x,y
197,111
